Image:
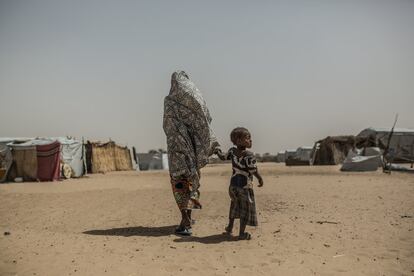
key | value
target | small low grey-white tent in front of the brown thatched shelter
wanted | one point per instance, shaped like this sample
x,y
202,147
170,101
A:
x,y
369,160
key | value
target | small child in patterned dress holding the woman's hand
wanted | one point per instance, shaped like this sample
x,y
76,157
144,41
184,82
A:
x,y
243,204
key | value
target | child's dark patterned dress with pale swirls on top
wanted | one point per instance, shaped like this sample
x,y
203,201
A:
x,y
243,205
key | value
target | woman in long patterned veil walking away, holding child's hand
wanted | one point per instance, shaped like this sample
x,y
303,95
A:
x,y
190,141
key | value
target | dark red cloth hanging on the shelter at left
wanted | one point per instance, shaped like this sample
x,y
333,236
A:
x,y
48,161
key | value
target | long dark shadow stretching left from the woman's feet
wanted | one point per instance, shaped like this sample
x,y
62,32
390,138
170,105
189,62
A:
x,y
135,231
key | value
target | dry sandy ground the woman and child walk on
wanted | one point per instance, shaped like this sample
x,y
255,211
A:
x,y
312,221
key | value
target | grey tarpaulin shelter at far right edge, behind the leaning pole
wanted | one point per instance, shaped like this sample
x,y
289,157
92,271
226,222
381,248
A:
x,y
401,147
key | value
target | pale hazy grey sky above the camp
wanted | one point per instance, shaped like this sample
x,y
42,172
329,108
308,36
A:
x,y
290,71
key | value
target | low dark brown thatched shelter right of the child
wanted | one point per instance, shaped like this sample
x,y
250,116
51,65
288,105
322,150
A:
x,y
333,149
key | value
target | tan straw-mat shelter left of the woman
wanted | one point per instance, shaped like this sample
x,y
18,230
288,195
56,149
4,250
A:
x,y
107,157
